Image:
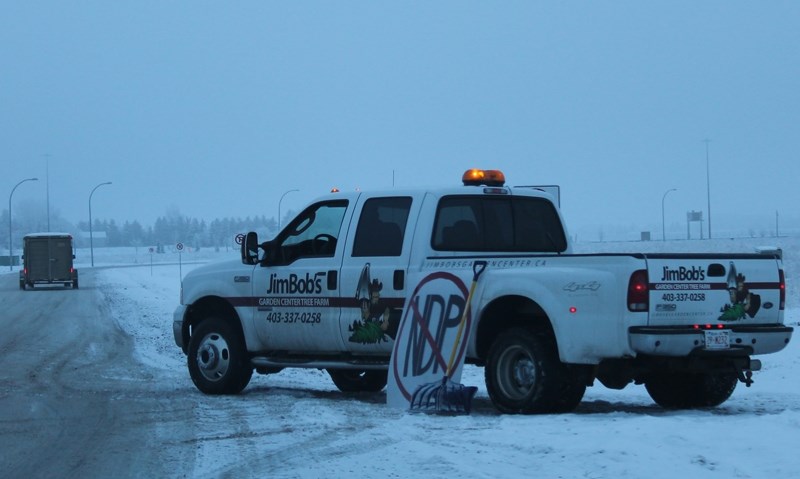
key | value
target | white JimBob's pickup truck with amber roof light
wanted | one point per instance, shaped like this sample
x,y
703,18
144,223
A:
x,y
331,289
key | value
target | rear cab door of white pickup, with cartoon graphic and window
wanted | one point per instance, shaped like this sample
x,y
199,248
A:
x,y
374,273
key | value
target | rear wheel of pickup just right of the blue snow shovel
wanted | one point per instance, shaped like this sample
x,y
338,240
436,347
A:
x,y
524,375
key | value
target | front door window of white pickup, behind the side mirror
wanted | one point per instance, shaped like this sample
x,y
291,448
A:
x,y
313,233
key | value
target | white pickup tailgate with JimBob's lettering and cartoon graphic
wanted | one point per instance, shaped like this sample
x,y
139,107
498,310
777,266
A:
x,y
729,290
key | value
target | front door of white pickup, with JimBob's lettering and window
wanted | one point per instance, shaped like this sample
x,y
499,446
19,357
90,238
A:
x,y
297,293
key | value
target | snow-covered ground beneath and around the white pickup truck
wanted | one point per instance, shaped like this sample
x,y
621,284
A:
x,y
301,426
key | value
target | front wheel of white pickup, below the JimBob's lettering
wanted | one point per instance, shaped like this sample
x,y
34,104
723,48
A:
x,y
217,357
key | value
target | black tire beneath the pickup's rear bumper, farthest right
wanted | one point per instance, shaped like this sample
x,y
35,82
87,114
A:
x,y
691,390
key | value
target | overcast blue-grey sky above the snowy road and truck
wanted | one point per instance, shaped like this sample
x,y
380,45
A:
x,y
216,109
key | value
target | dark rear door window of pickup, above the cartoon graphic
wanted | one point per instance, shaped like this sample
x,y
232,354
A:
x,y
382,226
